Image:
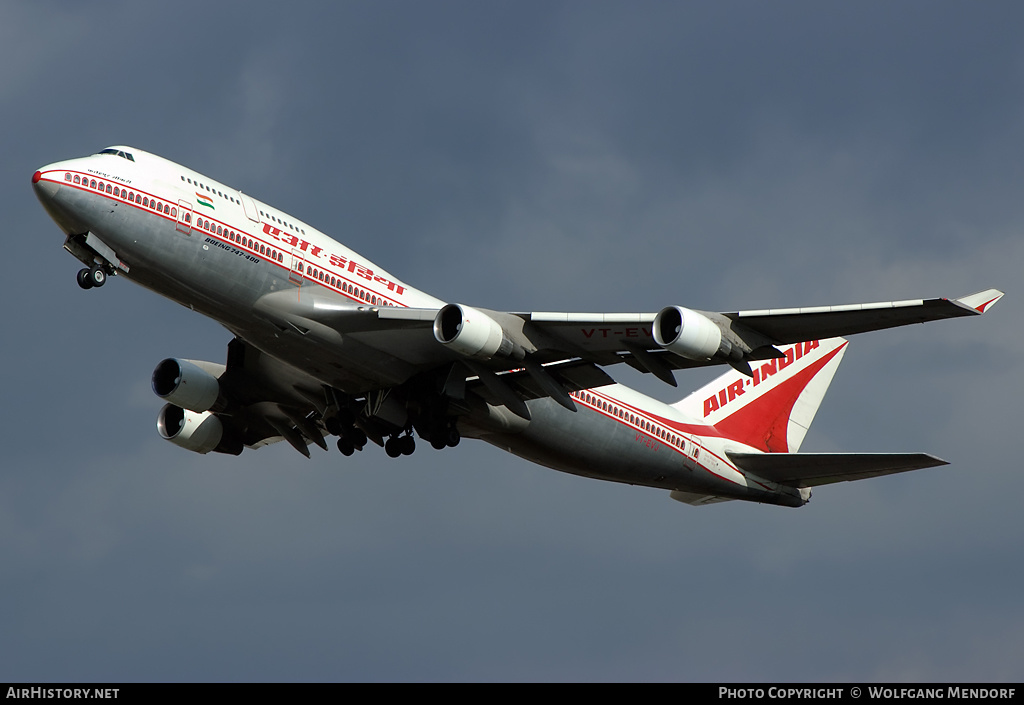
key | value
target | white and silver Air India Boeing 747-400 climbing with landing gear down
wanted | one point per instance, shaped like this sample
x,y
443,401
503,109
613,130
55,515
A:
x,y
327,344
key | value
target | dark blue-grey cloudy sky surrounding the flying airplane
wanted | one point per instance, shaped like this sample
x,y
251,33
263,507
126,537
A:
x,y
581,156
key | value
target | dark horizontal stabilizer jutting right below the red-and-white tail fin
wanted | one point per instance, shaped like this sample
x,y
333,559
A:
x,y
813,470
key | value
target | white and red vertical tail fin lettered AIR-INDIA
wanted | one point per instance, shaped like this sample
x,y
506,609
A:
x,y
772,410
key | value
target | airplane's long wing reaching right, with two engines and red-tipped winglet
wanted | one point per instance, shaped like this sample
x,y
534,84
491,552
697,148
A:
x,y
399,344
